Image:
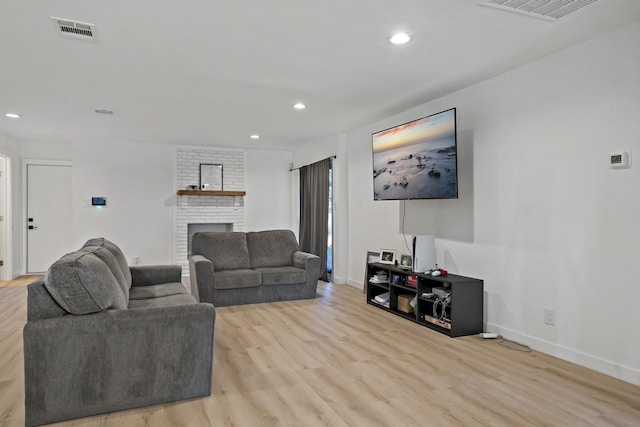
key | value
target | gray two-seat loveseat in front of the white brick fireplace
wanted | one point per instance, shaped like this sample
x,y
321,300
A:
x,y
232,268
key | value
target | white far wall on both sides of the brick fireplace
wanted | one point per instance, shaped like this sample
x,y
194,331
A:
x,y
138,180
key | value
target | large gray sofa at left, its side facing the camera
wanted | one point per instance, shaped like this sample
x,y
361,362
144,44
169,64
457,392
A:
x,y
102,336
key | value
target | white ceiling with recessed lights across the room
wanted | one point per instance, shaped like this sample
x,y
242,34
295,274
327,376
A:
x,y
214,72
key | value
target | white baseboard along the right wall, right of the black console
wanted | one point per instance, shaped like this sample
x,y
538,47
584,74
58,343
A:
x,y
607,367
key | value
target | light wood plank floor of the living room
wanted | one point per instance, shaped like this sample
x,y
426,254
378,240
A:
x,y
336,361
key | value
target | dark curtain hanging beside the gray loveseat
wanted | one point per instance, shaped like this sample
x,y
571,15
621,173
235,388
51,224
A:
x,y
314,211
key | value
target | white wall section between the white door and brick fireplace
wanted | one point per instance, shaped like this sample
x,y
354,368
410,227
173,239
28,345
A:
x,y
138,180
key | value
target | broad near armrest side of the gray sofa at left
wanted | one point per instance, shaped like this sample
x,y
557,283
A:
x,y
77,366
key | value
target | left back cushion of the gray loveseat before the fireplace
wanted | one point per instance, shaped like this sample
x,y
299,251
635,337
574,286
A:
x,y
227,250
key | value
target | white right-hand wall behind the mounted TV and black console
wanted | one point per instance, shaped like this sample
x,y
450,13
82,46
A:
x,y
541,218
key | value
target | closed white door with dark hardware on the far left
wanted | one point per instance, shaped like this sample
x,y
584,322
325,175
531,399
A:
x,y
49,234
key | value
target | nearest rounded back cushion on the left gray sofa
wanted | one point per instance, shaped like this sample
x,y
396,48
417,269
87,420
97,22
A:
x,y
82,283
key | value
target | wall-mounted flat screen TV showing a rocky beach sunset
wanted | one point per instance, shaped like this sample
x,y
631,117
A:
x,y
417,160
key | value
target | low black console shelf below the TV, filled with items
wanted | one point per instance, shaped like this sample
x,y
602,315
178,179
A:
x,y
462,316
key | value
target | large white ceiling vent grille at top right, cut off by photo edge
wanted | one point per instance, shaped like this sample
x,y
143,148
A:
x,y
545,9
